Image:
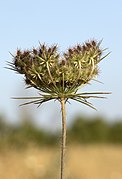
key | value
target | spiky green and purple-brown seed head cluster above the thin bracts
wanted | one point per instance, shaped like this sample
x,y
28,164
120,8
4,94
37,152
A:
x,y
58,75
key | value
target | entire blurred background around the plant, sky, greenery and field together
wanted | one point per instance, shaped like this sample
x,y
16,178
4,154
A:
x,y
27,133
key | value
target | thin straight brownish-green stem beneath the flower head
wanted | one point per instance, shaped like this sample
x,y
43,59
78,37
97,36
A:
x,y
63,137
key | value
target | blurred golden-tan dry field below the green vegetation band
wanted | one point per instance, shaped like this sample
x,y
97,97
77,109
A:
x,y
82,162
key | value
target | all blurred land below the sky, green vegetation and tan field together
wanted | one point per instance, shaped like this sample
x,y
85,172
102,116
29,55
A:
x,y
94,150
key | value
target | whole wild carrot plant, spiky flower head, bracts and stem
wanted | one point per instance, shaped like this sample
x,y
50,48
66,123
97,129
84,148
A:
x,y
59,77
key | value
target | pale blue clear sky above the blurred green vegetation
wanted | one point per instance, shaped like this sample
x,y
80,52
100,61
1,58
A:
x,y
23,24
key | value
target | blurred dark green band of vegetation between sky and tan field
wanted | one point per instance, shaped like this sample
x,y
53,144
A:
x,y
83,130
